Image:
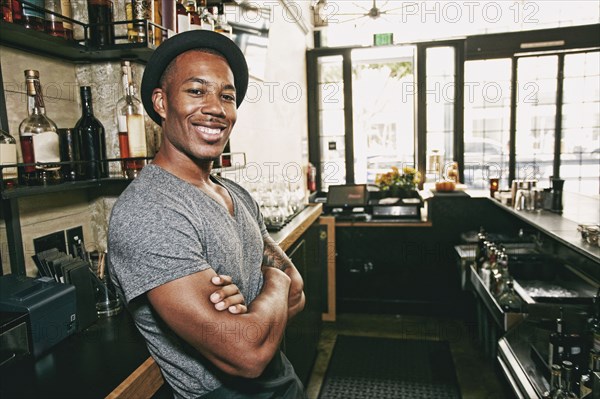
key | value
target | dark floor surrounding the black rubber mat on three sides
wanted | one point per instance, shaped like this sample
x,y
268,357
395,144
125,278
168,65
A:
x,y
478,377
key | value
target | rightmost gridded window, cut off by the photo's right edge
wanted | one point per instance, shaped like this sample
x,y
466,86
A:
x,y
580,139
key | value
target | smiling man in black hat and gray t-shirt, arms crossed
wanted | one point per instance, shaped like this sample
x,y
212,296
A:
x,y
177,227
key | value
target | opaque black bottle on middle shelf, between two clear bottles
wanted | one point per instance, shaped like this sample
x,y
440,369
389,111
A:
x,y
91,139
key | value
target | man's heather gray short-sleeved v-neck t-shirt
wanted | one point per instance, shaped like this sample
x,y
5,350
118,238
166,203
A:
x,y
163,228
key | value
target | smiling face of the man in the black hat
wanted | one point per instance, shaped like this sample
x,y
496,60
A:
x,y
198,105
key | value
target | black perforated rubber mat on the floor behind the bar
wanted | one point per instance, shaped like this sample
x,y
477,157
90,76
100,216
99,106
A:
x,y
380,368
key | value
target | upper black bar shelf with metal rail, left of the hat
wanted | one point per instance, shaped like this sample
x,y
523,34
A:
x,y
83,45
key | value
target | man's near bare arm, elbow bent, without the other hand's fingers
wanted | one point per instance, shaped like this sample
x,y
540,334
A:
x,y
238,344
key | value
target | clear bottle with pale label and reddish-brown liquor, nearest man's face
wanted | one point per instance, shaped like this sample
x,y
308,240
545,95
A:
x,y
130,121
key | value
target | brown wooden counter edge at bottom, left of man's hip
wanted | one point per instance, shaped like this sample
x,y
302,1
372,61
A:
x,y
142,383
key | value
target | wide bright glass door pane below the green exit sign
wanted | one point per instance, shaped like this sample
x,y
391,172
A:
x,y
383,105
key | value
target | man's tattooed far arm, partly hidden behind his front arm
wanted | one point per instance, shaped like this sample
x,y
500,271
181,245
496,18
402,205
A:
x,y
274,256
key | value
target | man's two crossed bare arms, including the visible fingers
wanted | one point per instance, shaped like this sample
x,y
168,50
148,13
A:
x,y
242,340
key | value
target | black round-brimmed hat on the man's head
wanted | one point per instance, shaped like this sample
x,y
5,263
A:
x,y
190,40
